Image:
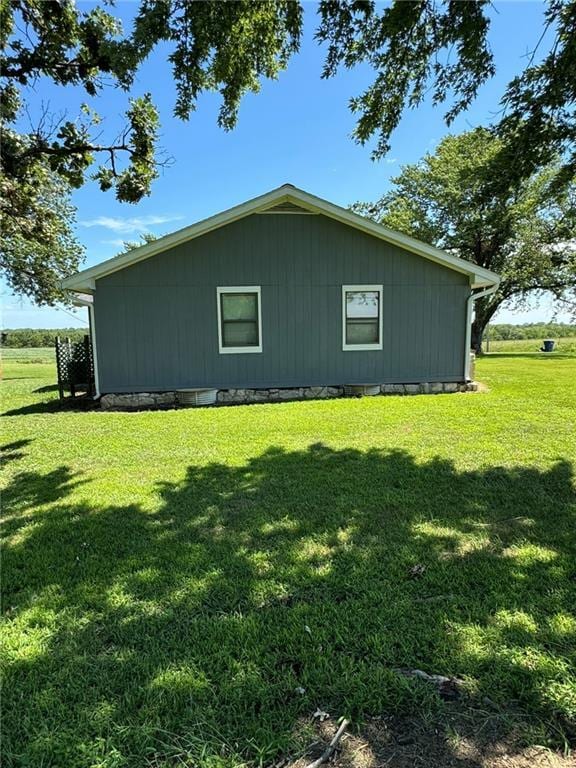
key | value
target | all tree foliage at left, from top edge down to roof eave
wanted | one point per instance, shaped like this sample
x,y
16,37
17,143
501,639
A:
x,y
227,47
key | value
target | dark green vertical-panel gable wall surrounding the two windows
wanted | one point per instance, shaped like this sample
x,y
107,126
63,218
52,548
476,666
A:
x,y
157,326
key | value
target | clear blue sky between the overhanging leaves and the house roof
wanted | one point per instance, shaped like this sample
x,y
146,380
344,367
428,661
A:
x,y
297,130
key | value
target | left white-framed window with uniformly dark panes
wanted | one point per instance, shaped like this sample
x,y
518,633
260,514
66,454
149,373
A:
x,y
239,319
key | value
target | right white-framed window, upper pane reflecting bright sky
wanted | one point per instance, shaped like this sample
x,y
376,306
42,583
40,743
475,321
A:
x,y
361,317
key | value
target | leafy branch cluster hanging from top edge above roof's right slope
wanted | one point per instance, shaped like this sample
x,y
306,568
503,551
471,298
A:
x,y
405,45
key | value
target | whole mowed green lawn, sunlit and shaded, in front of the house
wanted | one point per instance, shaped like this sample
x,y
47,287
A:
x,y
187,587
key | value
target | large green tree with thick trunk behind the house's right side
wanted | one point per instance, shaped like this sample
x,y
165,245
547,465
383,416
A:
x,y
525,234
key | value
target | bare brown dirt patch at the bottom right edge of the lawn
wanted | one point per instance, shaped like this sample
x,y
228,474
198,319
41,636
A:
x,y
464,738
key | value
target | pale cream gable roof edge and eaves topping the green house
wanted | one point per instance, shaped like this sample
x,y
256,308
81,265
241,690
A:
x,y
286,199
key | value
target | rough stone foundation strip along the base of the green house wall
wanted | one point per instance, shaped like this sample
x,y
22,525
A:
x,y
144,400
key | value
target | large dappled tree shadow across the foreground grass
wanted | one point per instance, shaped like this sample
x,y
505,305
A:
x,y
208,627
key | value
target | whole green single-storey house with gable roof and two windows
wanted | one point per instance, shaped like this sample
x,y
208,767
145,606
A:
x,y
286,295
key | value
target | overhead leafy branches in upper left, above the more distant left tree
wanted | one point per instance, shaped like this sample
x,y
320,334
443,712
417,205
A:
x,y
222,46
